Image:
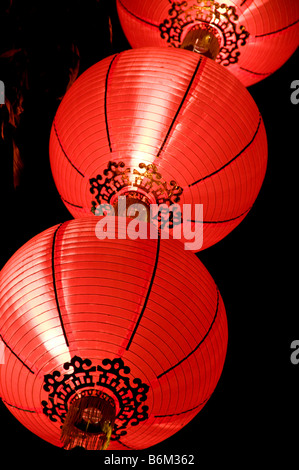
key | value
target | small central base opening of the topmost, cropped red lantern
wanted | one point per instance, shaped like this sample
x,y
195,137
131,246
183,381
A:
x,y
202,40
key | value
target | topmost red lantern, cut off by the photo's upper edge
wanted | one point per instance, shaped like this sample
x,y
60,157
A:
x,y
253,37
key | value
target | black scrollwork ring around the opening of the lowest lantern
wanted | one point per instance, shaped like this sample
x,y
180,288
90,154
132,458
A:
x,y
112,375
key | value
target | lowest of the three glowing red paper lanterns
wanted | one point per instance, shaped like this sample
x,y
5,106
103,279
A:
x,y
93,326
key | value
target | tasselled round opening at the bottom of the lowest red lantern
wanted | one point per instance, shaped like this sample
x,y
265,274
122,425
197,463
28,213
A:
x,y
89,421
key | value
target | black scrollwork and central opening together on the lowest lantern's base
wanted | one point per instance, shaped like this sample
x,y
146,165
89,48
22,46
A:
x,y
76,410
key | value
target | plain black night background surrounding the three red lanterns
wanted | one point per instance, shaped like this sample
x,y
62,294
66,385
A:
x,y
252,415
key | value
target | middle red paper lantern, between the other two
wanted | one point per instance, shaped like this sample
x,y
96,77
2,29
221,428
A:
x,y
165,125
